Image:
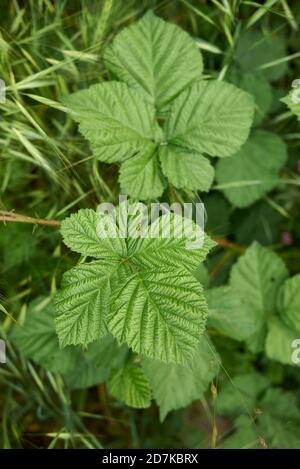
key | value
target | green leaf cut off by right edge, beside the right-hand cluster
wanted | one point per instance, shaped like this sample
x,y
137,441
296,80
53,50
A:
x,y
289,302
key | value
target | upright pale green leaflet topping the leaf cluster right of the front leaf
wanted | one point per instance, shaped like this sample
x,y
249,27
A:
x,y
256,277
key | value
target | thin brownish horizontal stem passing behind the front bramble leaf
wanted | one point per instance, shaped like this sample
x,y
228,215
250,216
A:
x,y
11,216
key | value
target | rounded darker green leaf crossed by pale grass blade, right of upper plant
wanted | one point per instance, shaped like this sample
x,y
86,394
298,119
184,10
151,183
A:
x,y
253,171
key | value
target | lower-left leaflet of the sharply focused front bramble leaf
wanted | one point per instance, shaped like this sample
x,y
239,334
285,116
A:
x,y
83,301
